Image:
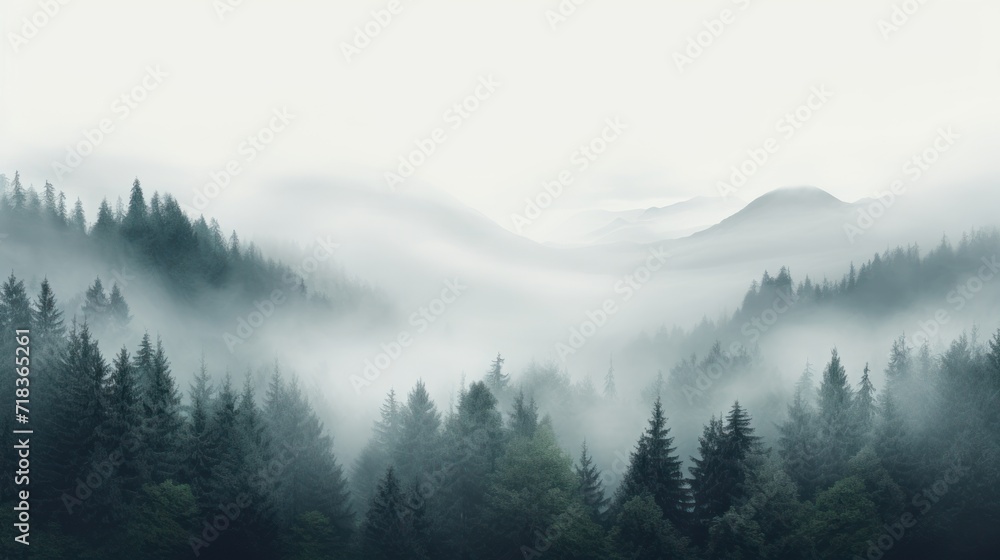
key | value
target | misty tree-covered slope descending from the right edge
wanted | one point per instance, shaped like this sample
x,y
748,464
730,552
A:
x,y
928,297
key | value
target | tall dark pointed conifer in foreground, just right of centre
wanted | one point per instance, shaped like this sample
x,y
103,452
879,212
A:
x,y
655,469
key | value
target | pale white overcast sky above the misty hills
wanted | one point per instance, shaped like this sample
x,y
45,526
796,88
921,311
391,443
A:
x,y
608,59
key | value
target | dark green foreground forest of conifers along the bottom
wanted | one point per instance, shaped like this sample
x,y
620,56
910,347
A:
x,y
470,486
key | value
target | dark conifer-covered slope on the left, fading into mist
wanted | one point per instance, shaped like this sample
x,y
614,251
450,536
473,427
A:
x,y
151,248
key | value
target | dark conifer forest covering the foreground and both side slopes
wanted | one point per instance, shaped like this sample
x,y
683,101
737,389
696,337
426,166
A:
x,y
125,462
